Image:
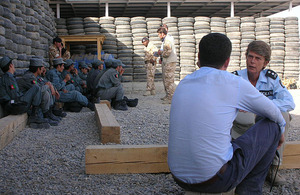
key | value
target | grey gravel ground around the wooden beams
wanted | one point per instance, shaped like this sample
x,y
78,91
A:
x,y
52,161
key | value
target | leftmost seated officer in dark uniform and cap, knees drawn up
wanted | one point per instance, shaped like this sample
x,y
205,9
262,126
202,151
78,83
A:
x,y
16,102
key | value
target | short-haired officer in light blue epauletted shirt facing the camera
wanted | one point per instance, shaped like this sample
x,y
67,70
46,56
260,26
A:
x,y
267,82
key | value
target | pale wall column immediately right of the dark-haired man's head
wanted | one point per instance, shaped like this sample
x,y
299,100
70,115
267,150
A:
x,y
234,34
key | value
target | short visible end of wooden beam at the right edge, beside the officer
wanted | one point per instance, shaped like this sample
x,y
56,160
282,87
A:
x,y
291,155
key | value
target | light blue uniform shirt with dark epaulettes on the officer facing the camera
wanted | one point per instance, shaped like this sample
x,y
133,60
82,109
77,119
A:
x,y
270,85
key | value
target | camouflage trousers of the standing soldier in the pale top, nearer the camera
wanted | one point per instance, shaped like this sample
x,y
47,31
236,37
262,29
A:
x,y
168,71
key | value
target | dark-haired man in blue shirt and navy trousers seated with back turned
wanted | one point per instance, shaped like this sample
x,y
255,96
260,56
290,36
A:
x,y
201,154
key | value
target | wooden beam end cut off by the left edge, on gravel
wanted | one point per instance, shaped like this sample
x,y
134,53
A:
x,y
10,126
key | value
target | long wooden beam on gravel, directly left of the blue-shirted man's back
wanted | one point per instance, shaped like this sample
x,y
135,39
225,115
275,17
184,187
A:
x,y
111,159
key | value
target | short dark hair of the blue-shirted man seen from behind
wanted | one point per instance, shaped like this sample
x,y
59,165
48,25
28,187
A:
x,y
214,50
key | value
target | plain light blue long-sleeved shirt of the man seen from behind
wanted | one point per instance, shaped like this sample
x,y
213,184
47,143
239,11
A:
x,y
203,109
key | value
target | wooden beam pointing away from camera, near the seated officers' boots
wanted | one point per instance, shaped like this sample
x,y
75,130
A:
x,y
108,126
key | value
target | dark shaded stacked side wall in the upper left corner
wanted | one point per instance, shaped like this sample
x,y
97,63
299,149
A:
x,y
27,28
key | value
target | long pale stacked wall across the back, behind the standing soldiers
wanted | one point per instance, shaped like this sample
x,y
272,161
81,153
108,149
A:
x,y
124,34
